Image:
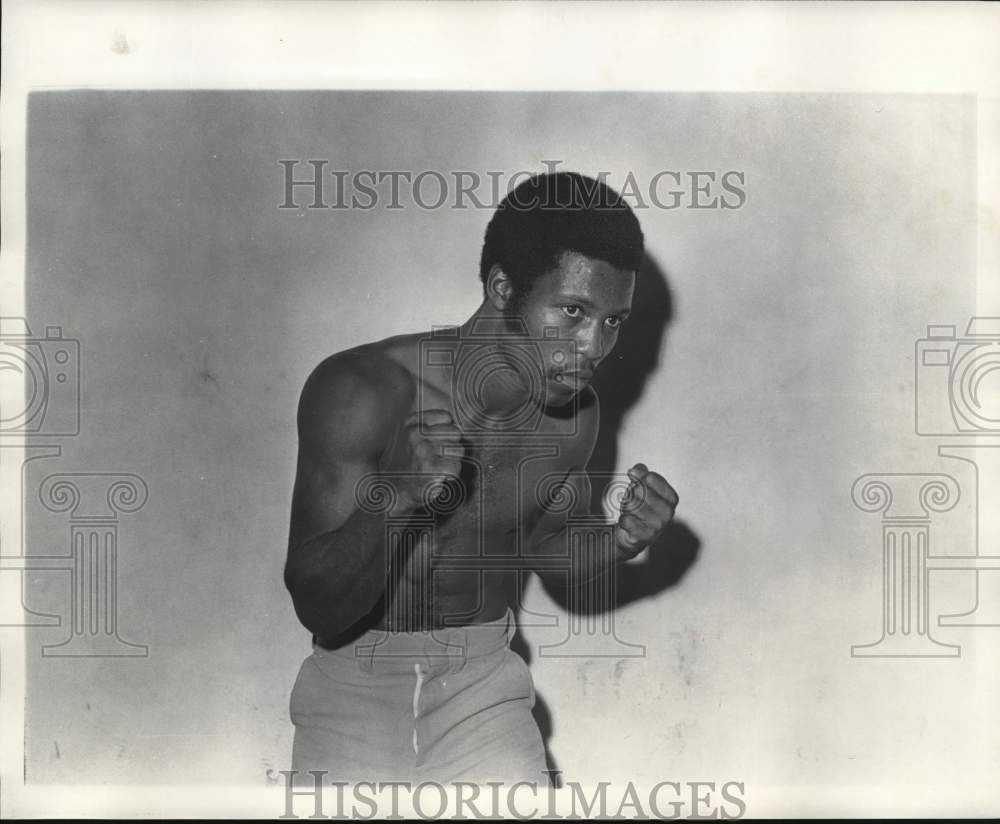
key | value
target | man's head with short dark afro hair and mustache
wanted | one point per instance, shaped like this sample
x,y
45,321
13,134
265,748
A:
x,y
561,252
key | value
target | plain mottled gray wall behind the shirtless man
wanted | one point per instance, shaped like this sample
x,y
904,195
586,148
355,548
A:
x,y
786,371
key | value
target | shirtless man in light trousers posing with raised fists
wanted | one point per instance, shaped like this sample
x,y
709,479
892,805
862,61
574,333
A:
x,y
405,586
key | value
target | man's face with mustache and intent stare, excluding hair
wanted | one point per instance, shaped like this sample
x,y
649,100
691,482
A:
x,y
586,300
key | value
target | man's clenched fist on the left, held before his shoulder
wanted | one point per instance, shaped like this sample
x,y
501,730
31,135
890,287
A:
x,y
428,445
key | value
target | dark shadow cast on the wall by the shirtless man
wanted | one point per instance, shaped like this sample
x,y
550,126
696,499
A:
x,y
620,381
